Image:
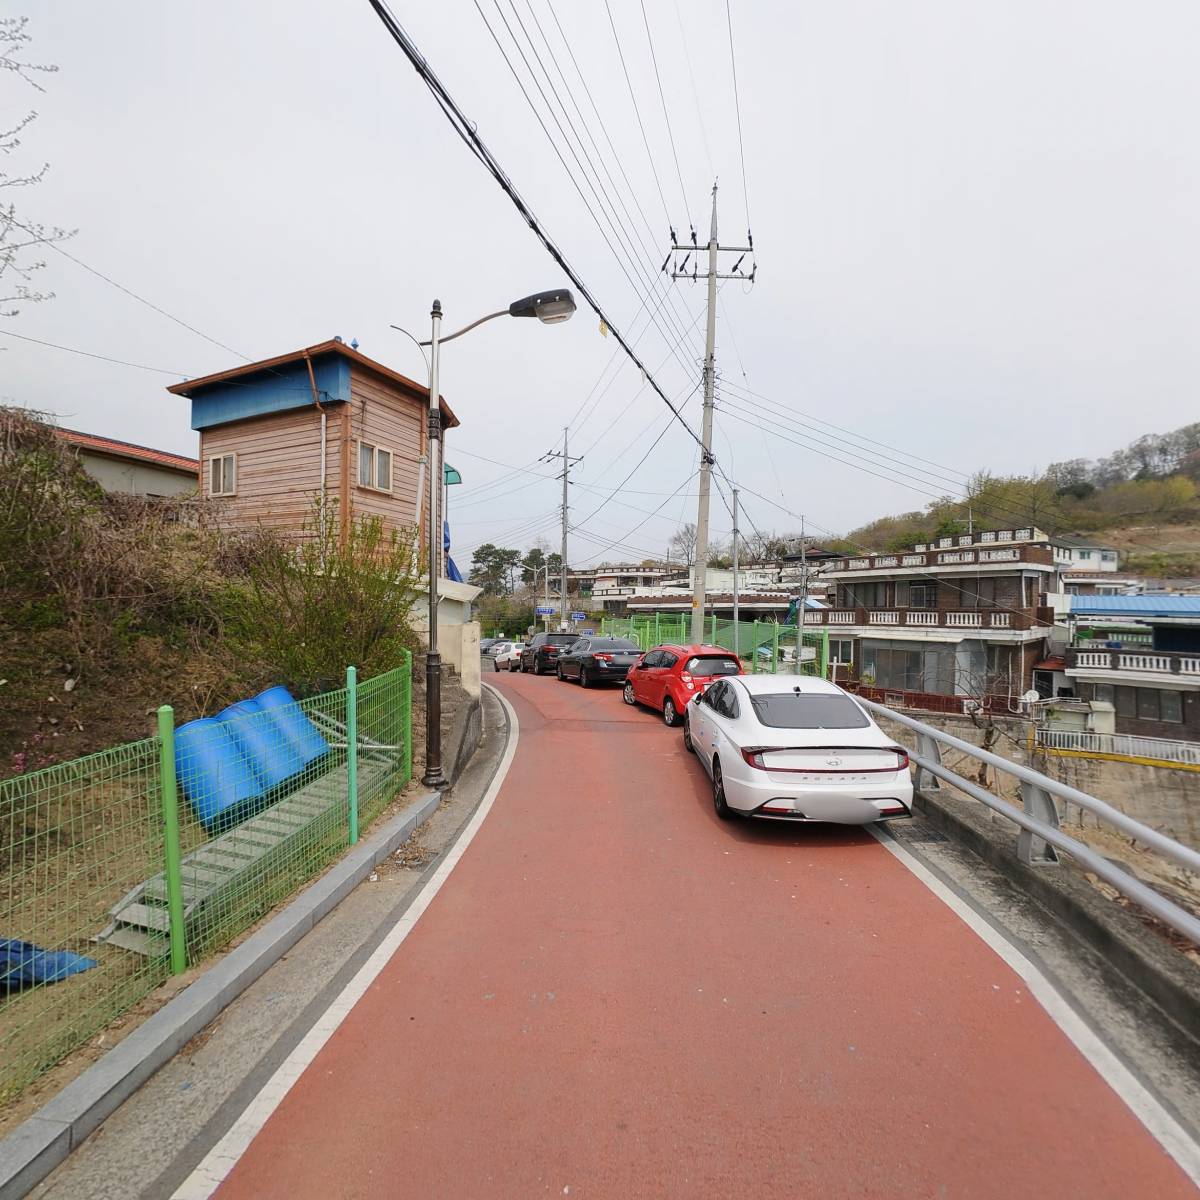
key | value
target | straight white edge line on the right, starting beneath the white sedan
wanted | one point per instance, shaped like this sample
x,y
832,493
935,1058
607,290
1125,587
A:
x,y
1138,1099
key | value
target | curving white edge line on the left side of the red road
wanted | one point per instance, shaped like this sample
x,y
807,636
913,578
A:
x,y
224,1156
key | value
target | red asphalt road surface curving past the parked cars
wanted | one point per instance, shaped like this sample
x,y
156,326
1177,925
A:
x,y
617,995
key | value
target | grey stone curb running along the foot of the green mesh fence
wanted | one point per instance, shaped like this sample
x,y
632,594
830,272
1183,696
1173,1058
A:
x,y
37,1147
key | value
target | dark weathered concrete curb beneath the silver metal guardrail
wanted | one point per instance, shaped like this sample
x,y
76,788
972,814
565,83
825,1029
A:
x,y
1168,980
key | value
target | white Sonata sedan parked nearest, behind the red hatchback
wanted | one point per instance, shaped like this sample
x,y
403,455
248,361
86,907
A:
x,y
790,748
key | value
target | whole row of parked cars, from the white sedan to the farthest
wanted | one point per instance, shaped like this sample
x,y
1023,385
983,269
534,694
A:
x,y
776,747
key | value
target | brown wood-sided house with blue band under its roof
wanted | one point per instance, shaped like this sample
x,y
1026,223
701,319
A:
x,y
321,424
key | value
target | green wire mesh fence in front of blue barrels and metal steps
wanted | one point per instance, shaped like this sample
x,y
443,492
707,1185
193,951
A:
x,y
130,865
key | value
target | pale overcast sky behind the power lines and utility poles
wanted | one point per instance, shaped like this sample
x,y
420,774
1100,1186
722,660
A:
x,y
977,230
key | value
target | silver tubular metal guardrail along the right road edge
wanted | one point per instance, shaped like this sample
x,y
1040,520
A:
x,y
1041,836
